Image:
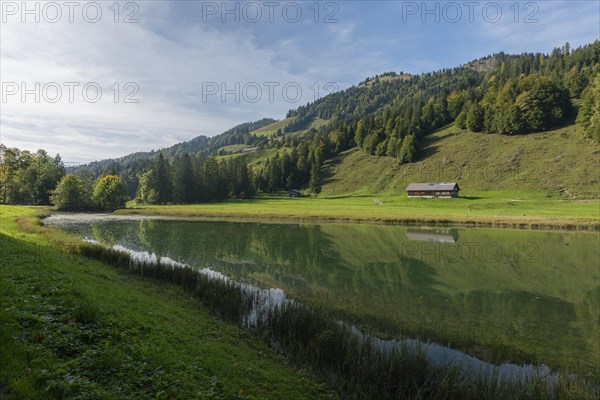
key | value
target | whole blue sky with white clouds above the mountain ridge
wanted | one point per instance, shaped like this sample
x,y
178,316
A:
x,y
95,80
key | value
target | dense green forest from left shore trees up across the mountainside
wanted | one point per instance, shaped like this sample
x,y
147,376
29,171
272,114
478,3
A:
x,y
388,115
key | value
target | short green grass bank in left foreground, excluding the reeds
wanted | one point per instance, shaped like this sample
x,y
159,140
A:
x,y
71,327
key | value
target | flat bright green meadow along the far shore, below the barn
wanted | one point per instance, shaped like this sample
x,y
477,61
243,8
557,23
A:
x,y
496,209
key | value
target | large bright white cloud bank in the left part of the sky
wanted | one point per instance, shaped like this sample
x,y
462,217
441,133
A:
x,y
169,75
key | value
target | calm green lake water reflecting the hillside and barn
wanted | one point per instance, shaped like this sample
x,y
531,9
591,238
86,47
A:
x,y
522,297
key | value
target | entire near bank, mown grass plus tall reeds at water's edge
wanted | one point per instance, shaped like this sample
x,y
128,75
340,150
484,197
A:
x,y
82,329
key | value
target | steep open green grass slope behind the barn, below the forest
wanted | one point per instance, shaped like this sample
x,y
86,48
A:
x,y
560,163
